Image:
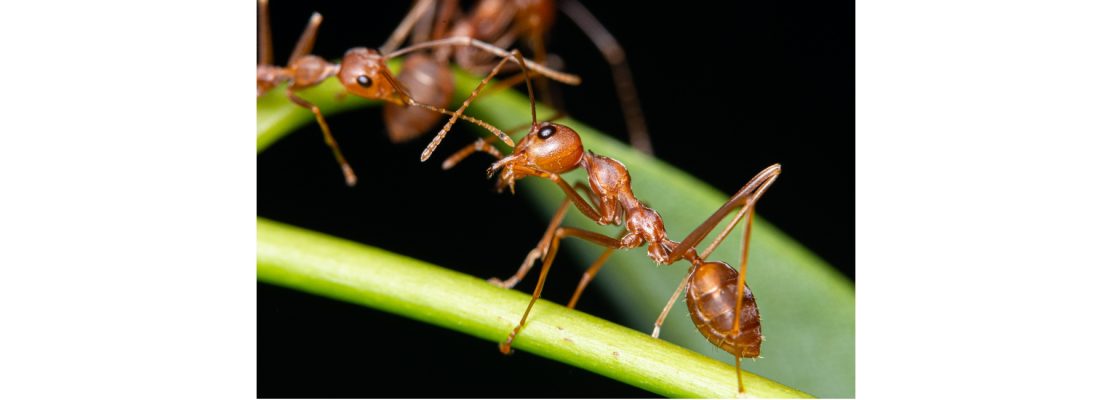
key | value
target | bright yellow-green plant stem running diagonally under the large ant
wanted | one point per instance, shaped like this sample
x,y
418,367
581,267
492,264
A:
x,y
353,273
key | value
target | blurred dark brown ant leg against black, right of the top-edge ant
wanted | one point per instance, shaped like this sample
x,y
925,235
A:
x,y
624,82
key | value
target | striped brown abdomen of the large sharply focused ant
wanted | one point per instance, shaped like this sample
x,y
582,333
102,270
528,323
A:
x,y
712,304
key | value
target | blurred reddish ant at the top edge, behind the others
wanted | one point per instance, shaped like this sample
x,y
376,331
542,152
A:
x,y
506,22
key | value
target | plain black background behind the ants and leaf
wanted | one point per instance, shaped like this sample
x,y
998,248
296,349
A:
x,y
727,89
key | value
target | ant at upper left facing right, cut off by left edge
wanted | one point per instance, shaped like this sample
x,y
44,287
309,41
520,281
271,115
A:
x,y
363,72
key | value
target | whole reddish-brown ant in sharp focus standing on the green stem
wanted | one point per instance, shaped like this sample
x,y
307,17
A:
x,y
721,304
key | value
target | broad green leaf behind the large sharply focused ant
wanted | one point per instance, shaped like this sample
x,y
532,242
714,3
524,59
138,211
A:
x,y
808,309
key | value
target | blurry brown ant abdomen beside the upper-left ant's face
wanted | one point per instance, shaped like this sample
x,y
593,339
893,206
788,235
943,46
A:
x,y
428,82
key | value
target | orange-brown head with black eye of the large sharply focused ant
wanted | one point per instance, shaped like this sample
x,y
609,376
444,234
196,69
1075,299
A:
x,y
552,147
